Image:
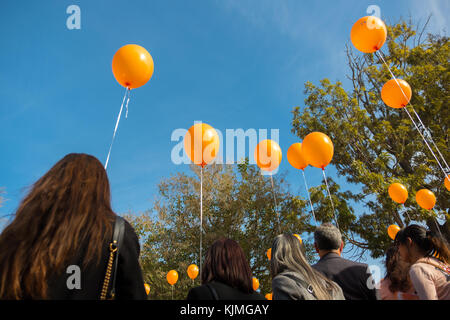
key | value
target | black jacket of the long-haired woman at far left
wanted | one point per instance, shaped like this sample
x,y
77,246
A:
x,y
129,281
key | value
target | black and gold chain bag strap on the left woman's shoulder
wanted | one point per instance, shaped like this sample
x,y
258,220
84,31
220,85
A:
x,y
114,247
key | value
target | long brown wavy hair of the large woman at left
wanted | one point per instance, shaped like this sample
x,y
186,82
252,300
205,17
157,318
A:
x,y
70,206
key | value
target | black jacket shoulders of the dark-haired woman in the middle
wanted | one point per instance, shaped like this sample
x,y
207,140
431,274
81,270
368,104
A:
x,y
224,292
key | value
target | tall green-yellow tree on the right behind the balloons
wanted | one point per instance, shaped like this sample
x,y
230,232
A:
x,y
376,145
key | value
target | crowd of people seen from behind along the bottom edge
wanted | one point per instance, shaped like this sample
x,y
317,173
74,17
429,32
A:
x,y
66,220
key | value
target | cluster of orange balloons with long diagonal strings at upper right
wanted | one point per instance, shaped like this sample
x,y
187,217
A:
x,y
368,35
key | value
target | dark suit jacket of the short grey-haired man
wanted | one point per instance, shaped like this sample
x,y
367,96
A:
x,y
352,277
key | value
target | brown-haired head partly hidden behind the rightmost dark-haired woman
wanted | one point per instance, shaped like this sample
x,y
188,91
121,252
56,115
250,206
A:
x,y
397,271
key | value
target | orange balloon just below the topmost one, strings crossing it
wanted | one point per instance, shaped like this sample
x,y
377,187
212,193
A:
x,y
396,95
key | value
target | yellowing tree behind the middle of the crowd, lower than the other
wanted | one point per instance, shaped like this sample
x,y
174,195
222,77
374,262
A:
x,y
237,203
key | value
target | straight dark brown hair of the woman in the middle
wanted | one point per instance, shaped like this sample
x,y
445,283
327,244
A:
x,y
225,262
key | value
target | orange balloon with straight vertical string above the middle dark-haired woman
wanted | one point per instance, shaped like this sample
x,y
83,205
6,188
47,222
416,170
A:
x,y
201,144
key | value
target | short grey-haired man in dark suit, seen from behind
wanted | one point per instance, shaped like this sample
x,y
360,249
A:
x,y
354,278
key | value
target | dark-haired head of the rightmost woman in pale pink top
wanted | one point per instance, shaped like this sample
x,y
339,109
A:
x,y
415,242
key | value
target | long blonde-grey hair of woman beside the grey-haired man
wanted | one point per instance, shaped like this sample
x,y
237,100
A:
x,y
287,256
